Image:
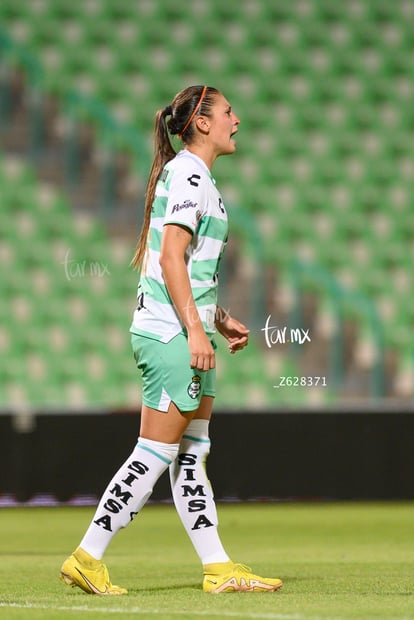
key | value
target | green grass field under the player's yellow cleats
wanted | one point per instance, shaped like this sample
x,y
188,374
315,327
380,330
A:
x,y
336,561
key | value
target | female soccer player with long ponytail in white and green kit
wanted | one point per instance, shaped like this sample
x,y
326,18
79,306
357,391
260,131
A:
x,y
178,253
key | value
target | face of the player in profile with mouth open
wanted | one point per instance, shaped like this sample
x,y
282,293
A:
x,y
223,126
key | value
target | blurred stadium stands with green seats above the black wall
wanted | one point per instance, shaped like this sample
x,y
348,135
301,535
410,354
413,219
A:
x,y
319,193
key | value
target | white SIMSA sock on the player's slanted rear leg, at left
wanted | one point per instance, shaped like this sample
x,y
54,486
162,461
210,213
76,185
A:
x,y
127,493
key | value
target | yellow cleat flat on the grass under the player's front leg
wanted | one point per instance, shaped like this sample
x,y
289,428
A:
x,y
230,577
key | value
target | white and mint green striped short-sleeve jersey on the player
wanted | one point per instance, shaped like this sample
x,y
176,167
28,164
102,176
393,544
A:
x,y
186,195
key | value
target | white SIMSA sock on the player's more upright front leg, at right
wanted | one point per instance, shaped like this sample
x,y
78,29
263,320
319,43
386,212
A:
x,y
193,495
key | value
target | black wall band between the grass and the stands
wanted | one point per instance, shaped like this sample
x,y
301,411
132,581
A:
x,y
255,455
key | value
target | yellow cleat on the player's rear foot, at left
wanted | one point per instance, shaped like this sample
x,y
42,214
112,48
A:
x,y
82,570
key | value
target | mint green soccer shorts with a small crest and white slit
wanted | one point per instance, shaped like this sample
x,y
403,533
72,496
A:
x,y
167,375
